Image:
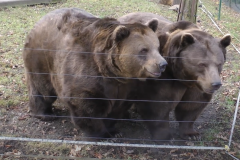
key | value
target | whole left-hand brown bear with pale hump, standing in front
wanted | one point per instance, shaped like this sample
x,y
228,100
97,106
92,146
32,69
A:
x,y
88,63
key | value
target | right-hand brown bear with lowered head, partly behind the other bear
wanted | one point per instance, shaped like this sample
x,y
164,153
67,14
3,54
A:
x,y
195,59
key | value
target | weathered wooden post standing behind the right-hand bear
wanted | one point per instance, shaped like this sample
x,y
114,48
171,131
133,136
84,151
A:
x,y
188,10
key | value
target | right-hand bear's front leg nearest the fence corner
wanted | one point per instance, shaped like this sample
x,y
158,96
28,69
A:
x,y
189,112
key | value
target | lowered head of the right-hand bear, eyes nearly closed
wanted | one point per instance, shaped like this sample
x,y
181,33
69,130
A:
x,y
197,57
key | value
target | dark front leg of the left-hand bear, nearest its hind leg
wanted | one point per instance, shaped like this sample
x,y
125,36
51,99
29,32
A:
x,y
88,114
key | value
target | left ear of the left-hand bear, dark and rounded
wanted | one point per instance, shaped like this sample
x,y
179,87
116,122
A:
x,y
120,33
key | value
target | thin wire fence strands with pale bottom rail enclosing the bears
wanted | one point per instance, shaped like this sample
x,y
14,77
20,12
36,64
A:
x,y
28,138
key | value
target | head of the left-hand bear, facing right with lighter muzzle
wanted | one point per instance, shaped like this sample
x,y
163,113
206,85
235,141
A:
x,y
133,51
